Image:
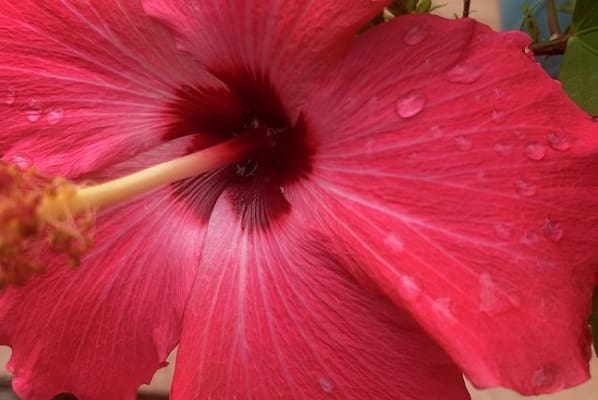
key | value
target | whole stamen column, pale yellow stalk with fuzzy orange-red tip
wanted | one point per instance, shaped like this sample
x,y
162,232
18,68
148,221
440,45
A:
x,y
60,214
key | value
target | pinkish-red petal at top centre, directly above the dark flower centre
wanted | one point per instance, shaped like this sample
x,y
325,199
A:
x,y
277,43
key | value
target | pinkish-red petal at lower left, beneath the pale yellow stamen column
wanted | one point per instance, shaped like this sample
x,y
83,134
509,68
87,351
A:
x,y
102,330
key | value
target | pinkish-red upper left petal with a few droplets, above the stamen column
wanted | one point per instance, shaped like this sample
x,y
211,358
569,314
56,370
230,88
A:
x,y
84,84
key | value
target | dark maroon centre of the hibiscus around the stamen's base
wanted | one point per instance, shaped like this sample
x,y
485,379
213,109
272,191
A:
x,y
254,187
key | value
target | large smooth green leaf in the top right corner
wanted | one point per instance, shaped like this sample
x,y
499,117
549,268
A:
x,y
579,71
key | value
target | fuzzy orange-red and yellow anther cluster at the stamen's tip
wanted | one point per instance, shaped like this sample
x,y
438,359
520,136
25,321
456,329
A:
x,y
36,222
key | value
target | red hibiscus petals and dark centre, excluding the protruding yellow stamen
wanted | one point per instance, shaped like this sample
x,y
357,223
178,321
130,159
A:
x,y
413,202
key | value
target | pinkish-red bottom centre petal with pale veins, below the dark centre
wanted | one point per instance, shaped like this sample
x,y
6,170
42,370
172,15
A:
x,y
274,315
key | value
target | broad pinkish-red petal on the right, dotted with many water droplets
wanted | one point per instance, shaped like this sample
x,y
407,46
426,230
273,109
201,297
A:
x,y
458,168
